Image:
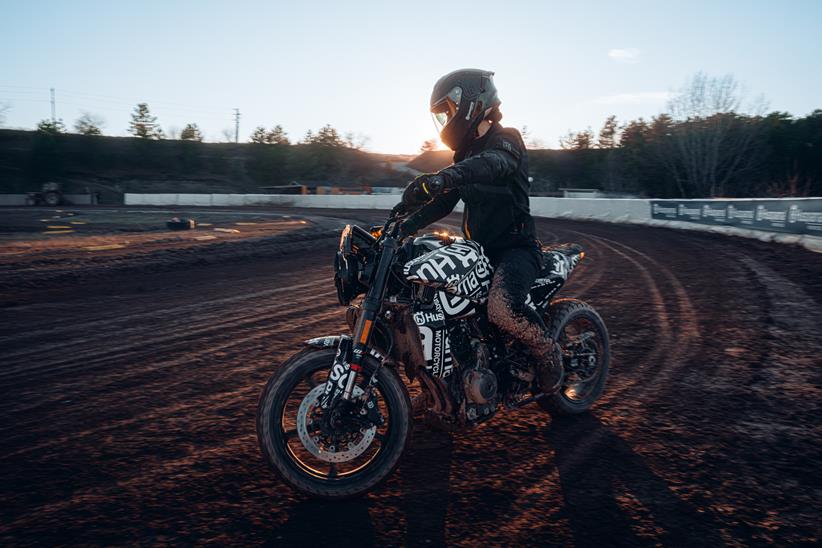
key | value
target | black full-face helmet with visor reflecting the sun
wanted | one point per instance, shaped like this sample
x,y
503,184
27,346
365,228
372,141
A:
x,y
459,103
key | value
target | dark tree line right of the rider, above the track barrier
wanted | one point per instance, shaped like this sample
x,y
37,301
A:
x,y
708,143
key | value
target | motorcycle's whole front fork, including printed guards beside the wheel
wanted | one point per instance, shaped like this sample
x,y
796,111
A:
x,y
364,326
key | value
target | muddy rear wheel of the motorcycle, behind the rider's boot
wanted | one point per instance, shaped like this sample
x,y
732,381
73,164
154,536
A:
x,y
583,338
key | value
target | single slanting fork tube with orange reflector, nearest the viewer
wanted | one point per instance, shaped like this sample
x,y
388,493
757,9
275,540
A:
x,y
370,308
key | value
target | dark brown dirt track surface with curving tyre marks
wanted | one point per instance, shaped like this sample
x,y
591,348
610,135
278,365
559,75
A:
x,y
128,401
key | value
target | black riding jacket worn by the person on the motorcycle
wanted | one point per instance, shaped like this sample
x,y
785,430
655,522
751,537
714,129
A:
x,y
491,177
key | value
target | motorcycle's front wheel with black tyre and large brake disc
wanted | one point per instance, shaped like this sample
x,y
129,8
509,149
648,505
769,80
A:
x,y
344,462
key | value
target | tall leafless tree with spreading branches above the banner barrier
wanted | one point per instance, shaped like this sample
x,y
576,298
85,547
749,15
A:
x,y
707,141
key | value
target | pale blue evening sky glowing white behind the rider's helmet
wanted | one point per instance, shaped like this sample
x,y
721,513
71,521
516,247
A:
x,y
368,67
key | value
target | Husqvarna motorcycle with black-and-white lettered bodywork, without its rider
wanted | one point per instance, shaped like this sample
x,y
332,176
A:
x,y
335,418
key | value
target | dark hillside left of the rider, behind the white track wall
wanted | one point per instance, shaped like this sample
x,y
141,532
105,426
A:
x,y
126,164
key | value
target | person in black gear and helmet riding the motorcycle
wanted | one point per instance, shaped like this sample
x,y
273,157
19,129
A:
x,y
489,174
